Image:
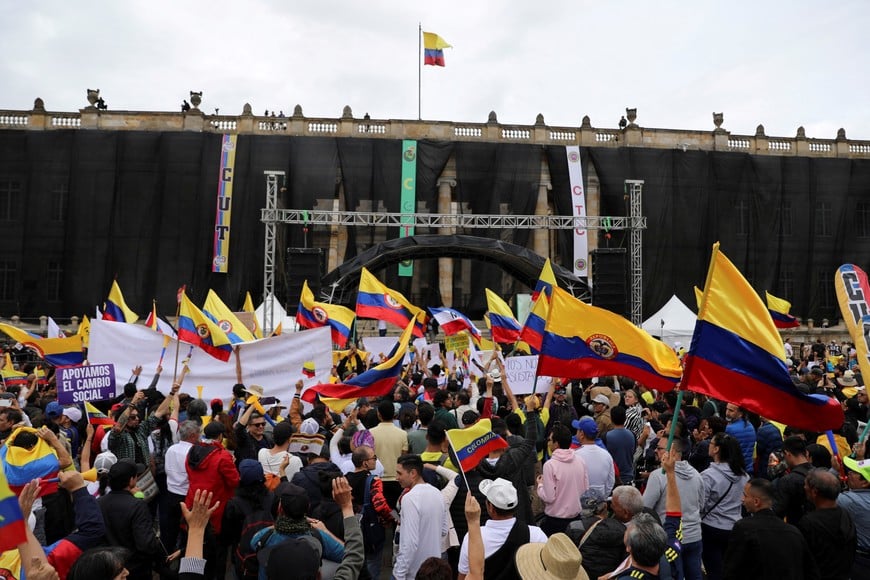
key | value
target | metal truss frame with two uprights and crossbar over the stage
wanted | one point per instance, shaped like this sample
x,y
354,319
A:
x,y
271,216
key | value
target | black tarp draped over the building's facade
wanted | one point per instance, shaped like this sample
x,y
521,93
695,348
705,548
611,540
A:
x,y
79,208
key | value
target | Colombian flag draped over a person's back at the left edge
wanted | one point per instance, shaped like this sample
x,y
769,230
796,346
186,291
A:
x,y
21,466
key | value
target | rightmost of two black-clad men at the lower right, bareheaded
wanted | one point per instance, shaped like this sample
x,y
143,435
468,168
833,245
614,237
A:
x,y
828,529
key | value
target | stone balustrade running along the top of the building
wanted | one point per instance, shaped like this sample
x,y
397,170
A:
x,y
347,125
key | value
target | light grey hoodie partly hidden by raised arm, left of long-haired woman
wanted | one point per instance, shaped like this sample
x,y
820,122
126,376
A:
x,y
691,487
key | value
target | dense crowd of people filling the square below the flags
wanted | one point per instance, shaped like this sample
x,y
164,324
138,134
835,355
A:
x,y
598,478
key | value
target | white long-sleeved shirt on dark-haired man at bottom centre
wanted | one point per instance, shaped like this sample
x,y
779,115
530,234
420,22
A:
x,y
424,522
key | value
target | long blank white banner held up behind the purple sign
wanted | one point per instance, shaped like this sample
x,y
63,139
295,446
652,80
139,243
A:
x,y
273,363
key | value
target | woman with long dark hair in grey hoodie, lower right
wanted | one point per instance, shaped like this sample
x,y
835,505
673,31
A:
x,y
723,500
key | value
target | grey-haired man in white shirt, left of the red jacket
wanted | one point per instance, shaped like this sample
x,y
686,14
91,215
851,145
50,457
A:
x,y
176,482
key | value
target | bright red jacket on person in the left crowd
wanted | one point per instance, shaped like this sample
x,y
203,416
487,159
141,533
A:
x,y
211,467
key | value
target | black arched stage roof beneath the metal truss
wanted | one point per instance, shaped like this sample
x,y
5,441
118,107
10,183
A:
x,y
521,263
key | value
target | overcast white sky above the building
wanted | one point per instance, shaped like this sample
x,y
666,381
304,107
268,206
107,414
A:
x,y
782,64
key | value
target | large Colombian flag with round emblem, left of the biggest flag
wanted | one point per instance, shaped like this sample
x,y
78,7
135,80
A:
x,y
583,341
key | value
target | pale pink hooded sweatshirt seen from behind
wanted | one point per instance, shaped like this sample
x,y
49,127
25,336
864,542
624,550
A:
x,y
565,480
